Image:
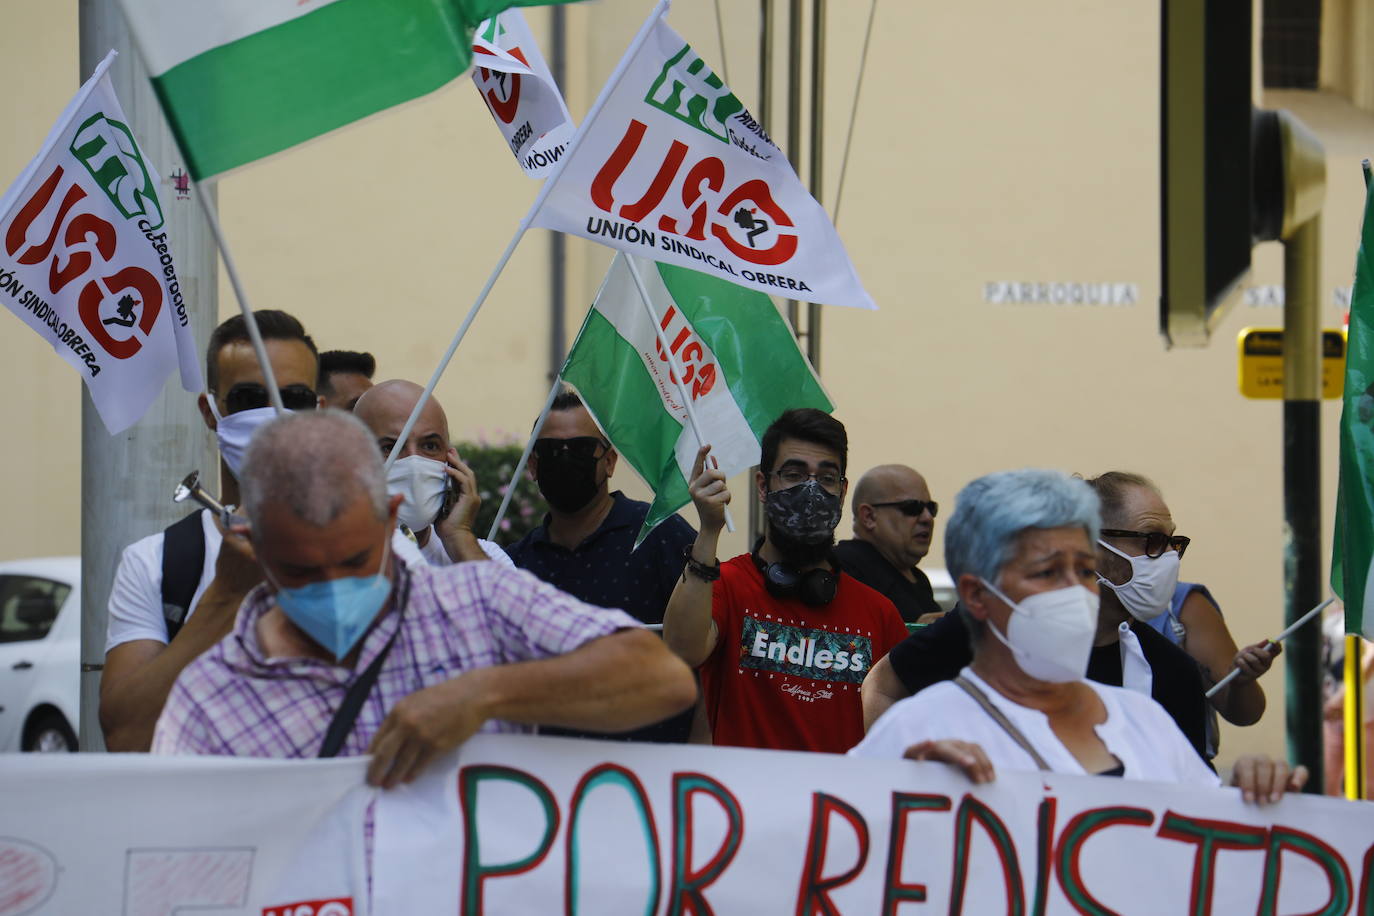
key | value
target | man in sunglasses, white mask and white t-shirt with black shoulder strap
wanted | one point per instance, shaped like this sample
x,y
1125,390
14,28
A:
x,y
175,593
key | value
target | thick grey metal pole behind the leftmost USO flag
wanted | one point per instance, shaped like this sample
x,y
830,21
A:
x,y
127,480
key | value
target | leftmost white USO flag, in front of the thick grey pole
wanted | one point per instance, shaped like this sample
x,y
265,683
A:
x,y
86,260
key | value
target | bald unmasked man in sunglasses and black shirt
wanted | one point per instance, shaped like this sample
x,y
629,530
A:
x,y
894,521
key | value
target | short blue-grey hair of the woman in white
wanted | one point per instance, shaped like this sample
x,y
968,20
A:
x,y
993,512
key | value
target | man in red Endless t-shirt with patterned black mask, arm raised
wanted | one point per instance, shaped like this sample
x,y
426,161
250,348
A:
x,y
781,637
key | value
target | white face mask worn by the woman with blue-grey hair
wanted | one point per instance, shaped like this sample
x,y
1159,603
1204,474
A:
x,y
1050,634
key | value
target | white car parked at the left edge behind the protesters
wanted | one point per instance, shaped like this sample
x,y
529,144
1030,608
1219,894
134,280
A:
x,y
41,654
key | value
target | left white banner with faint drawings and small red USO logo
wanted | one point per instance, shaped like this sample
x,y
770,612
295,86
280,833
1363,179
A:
x,y
160,836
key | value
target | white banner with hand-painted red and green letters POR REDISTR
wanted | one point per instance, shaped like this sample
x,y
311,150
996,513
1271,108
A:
x,y
520,825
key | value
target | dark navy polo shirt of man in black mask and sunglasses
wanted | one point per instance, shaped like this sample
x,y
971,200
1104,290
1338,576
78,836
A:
x,y
608,572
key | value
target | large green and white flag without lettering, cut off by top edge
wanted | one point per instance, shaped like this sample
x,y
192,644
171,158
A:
x,y
241,80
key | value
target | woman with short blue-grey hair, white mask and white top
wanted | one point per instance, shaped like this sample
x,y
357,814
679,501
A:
x,y
1022,550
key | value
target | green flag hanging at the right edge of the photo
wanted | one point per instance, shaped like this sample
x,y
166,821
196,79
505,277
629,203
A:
x,y
1353,550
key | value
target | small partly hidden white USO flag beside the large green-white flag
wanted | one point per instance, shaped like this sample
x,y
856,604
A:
x,y
520,91
